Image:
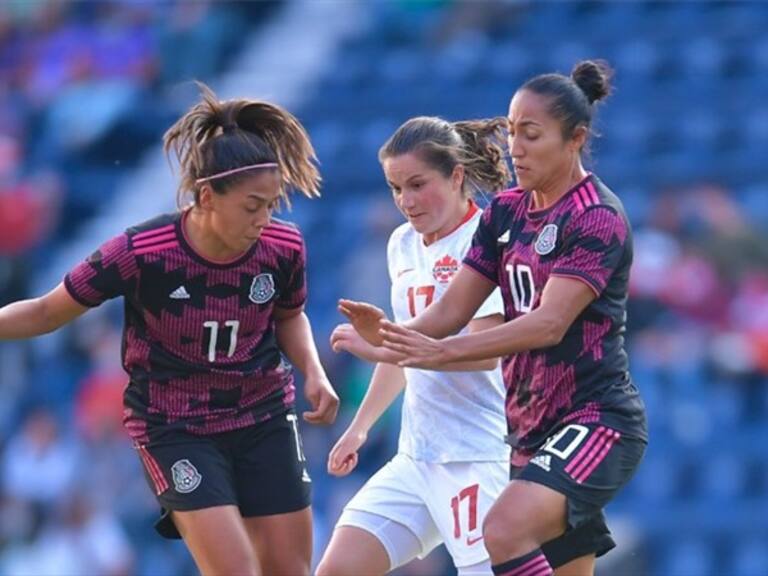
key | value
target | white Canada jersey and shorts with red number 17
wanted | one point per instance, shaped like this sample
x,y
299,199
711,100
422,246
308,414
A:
x,y
452,461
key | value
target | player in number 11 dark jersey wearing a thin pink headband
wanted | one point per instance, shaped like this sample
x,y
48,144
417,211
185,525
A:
x,y
214,298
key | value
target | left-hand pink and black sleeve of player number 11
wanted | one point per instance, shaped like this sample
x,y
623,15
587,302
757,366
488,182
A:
x,y
109,272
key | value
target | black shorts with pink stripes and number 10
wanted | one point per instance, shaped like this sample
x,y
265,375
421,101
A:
x,y
588,464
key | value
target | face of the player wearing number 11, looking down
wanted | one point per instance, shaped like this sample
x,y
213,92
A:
x,y
239,216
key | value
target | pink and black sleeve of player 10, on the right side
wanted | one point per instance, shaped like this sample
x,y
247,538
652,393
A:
x,y
593,248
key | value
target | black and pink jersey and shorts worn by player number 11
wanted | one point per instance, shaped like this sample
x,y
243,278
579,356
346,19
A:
x,y
210,400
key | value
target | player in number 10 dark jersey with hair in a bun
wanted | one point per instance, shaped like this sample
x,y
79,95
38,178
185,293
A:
x,y
559,247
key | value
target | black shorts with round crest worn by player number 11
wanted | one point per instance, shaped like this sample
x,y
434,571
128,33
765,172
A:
x,y
260,469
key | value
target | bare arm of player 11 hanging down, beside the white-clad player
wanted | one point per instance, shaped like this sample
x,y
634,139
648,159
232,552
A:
x,y
294,337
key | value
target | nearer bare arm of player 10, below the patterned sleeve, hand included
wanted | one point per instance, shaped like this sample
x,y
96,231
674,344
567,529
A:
x,y
562,300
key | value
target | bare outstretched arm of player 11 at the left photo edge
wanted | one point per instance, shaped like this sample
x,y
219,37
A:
x,y
36,316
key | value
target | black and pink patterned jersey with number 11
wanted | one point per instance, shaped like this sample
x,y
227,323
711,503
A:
x,y
199,340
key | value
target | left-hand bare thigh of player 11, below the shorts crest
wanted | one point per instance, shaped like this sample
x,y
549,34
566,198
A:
x,y
218,541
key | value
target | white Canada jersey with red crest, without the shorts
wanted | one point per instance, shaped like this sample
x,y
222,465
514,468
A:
x,y
447,416
